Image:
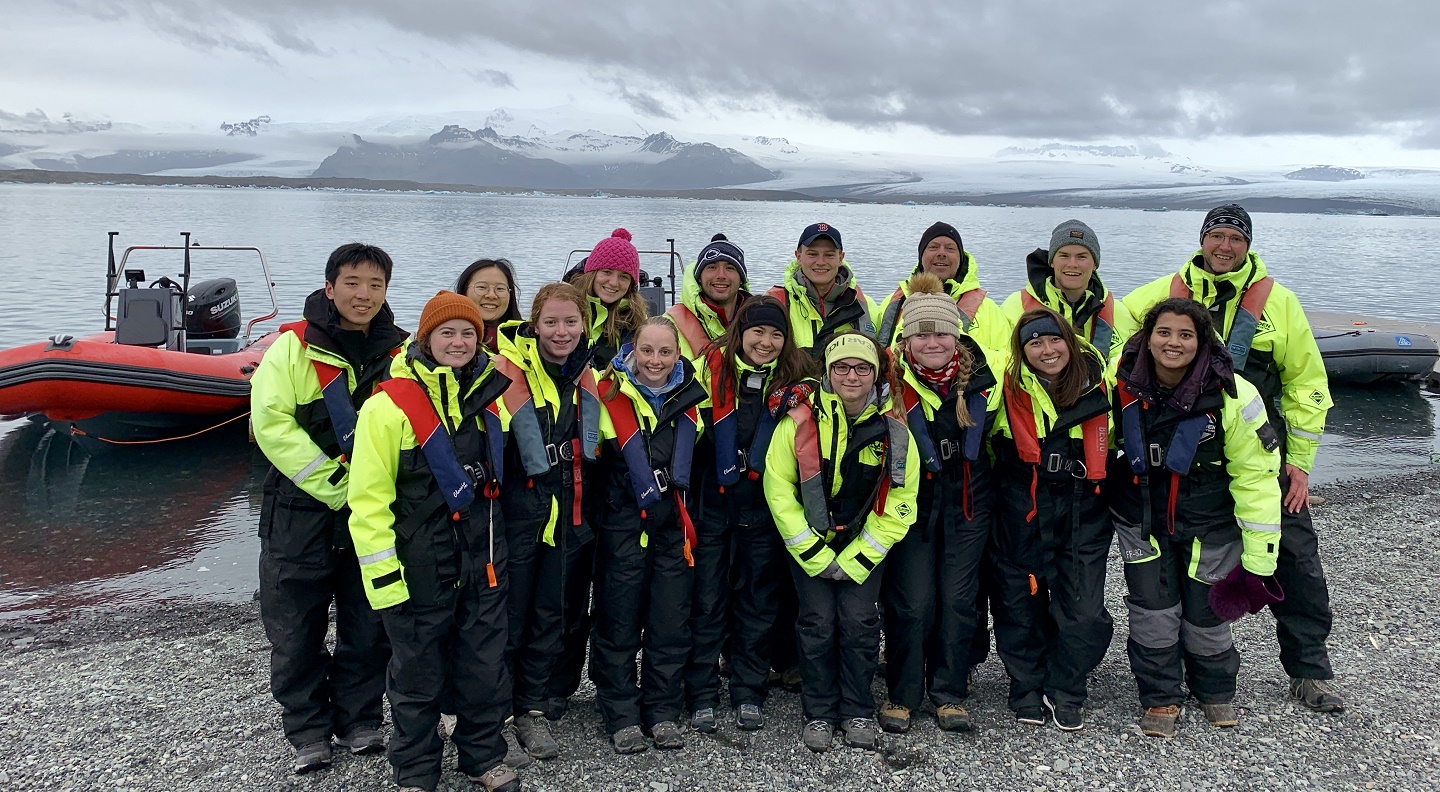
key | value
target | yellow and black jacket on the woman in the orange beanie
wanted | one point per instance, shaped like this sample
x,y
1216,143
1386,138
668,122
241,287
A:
x,y
408,534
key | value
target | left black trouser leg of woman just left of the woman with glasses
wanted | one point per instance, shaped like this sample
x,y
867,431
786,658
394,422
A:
x,y
709,613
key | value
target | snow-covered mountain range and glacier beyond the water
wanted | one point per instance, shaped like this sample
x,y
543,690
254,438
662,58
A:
x,y
542,149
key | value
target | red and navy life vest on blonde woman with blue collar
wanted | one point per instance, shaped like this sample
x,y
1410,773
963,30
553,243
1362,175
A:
x,y
649,485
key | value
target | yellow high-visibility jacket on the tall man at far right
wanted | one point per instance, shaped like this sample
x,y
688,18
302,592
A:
x,y
1284,362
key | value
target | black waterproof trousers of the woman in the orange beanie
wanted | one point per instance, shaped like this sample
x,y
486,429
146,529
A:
x,y
450,653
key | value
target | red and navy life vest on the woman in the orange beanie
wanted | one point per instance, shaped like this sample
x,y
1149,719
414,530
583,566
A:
x,y
456,483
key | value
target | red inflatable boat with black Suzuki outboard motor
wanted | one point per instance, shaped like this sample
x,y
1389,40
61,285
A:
x,y
171,362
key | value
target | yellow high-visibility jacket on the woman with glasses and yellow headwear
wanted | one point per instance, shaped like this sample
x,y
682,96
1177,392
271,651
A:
x,y
842,490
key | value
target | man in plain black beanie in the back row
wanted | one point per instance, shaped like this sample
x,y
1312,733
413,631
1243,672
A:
x,y
944,256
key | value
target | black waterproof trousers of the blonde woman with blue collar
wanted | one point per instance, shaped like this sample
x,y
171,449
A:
x,y
643,600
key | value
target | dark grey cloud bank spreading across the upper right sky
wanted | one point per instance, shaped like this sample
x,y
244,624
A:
x,y
1017,68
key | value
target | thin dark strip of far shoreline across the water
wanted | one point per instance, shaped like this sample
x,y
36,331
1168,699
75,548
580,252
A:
x,y
1092,198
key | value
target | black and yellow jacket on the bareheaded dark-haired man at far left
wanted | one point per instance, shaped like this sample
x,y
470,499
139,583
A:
x,y
289,408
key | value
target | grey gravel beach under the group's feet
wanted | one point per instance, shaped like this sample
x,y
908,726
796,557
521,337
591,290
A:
x,y
176,698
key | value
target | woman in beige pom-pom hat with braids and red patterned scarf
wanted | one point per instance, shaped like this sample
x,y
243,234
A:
x,y
950,394
